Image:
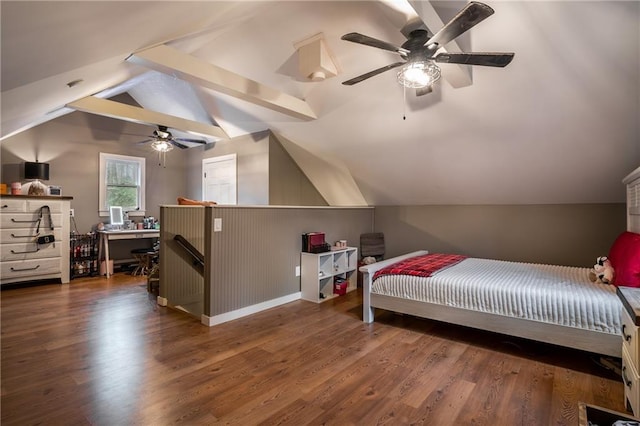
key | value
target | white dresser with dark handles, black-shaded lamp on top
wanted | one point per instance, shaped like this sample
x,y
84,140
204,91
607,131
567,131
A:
x,y
21,258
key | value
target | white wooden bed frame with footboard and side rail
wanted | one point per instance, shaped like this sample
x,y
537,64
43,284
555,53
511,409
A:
x,y
591,341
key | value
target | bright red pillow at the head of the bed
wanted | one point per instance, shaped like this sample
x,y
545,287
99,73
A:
x,y
625,259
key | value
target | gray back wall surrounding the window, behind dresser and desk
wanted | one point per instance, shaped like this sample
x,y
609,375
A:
x,y
72,144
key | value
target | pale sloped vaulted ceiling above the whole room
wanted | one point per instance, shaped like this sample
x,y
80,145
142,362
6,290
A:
x,y
560,124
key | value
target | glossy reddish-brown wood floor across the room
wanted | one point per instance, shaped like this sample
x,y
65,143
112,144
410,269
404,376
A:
x,y
101,352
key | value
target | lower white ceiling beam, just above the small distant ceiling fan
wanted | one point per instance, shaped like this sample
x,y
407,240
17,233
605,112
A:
x,y
134,114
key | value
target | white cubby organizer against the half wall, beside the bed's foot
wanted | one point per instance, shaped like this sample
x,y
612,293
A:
x,y
320,270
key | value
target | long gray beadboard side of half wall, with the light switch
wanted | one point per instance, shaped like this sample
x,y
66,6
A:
x,y
253,258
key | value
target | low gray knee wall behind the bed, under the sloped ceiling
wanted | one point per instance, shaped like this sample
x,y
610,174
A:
x,y
566,234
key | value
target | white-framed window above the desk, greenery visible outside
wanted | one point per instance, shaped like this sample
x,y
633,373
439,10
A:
x,y
122,183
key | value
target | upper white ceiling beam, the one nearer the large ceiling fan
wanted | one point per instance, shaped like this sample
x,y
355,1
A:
x,y
171,61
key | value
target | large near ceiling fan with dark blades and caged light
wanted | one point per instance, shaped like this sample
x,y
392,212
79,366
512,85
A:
x,y
419,70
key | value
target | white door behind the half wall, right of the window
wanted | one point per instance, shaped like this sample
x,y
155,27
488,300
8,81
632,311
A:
x,y
219,179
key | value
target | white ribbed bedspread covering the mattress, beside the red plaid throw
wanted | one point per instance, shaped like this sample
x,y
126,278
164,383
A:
x,y
549,293
